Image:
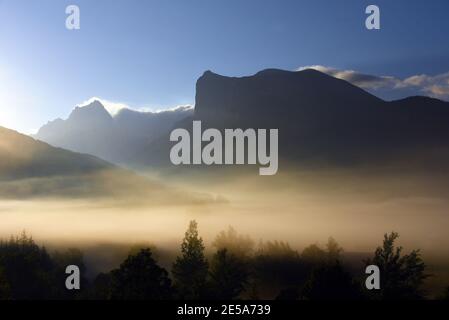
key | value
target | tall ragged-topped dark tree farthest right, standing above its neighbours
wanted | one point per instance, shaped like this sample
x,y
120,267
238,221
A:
x,y
401,276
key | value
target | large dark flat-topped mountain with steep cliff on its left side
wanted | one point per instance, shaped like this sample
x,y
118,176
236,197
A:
x,y
321,119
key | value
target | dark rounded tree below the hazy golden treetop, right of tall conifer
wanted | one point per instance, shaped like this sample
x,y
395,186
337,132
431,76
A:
x,y
228,275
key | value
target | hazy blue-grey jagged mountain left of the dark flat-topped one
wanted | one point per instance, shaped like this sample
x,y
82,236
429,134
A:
x,y
91,129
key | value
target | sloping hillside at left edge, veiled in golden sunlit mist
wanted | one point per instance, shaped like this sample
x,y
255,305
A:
x,y
34,169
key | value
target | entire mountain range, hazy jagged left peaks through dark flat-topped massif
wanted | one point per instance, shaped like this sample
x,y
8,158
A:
x,y
321,119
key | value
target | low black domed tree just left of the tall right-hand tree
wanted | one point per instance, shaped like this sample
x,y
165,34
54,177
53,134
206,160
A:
x,y
330,282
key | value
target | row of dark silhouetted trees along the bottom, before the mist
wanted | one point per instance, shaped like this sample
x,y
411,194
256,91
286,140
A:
x,y
237,270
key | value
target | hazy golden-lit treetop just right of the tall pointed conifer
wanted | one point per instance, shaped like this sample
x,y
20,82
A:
x,y
238,245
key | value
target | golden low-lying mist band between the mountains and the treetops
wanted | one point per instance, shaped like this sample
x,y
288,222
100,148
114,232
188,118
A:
x,y
302,207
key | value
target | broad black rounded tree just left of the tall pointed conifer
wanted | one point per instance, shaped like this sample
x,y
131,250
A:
x,y
140,278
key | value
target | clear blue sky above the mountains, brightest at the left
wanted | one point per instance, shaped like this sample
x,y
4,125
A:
x,y
148,54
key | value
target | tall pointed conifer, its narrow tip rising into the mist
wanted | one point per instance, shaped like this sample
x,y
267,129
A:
x,y
191,269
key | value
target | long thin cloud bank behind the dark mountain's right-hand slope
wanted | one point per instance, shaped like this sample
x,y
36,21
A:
x,y
435,86
